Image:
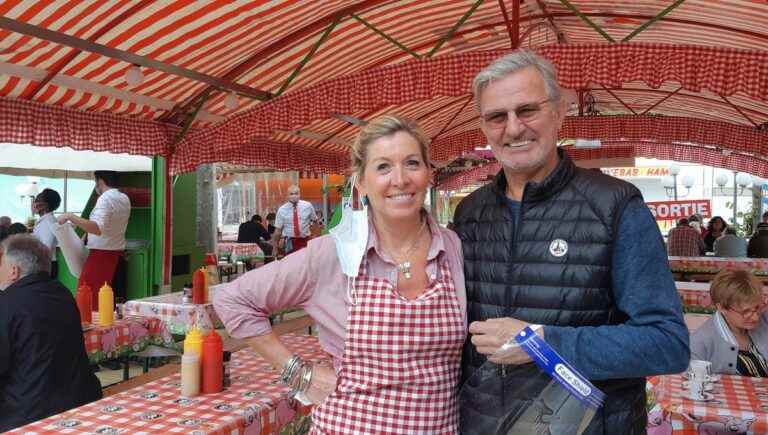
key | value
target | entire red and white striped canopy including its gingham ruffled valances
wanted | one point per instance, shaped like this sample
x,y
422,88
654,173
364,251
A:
x,y
655,75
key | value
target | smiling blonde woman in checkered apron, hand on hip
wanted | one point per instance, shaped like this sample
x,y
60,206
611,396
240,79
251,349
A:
x,y
395,329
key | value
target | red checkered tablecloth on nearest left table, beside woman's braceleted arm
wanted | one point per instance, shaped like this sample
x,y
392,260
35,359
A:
x,y
255,403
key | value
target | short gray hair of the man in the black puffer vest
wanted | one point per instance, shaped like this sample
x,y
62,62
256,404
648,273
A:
x,y
513,62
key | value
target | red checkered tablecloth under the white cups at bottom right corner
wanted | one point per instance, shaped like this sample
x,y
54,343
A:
x,y
738,404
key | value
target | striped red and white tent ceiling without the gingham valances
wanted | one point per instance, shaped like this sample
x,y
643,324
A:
x,y
72,54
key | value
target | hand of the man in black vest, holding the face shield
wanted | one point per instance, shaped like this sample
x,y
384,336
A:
x,y
488,337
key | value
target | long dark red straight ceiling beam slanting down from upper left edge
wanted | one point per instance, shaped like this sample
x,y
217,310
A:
x,y
129,57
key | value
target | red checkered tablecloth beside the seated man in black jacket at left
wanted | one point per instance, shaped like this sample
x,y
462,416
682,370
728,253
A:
x,y
127,335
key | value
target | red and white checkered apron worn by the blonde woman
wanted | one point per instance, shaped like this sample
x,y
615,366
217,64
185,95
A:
x,y
400,368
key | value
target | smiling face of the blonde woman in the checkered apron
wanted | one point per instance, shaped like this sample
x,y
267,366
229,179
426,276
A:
x,y
395,177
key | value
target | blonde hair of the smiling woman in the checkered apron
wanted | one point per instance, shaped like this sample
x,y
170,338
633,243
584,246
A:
x,y
385,126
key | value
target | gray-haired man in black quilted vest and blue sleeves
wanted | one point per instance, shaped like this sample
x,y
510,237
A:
x,y
574,250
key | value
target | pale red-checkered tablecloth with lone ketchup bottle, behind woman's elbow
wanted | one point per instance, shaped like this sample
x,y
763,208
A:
x,y
177,316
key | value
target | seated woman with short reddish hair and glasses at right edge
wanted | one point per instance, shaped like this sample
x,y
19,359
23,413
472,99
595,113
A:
x,y
735,339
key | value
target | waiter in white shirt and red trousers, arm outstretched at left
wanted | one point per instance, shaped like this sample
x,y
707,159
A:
x,y
106,227
